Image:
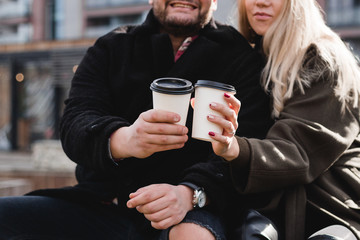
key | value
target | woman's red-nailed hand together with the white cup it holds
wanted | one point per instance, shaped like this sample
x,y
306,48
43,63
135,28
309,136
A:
x,y
215,117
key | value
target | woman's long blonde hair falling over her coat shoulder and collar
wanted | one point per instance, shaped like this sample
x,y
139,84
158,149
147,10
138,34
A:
x,y
286,43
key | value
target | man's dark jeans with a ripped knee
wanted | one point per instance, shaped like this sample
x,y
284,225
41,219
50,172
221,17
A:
x,y
47,218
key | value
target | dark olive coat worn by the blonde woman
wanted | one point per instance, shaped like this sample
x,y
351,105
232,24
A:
x,y
309,163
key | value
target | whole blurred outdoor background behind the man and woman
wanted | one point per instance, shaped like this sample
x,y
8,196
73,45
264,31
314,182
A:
x,y
41,44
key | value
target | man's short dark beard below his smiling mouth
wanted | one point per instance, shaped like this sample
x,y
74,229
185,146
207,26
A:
x,y
180,27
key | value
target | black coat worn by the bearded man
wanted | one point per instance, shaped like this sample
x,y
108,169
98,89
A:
x,y
110,90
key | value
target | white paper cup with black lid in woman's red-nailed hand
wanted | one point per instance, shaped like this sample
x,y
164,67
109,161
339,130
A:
x,y
207,92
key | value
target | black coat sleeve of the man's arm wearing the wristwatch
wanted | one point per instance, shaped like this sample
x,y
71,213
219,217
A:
x,y
254,121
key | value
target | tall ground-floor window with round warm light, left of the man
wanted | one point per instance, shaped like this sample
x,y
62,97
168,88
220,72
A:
x,y
35,102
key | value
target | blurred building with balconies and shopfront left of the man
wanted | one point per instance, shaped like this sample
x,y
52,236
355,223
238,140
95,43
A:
x,y
41,44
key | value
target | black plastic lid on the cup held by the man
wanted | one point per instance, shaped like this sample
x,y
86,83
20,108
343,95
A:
x,y
172,86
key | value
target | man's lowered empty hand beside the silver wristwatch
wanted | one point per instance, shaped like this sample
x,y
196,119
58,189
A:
x,y
163,204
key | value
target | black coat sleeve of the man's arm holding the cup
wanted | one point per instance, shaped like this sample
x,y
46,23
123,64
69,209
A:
x,y
88,121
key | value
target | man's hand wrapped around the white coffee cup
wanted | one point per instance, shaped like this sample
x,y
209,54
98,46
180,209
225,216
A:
x,y
154,131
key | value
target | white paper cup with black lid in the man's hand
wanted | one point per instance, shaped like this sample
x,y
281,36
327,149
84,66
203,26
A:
x,y
172,94
